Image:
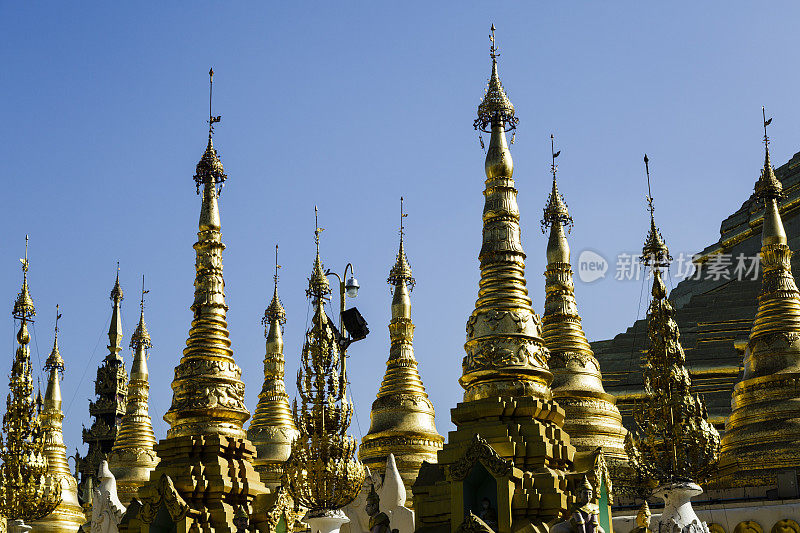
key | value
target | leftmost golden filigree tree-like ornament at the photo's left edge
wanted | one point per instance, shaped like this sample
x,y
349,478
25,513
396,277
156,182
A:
x,y
27,490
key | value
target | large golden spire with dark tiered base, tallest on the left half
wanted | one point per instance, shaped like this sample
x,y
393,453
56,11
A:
x,y
206,461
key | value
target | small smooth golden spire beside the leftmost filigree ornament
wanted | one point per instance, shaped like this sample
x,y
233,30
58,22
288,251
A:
x,y
68,516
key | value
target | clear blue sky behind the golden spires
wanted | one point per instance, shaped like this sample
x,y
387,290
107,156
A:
x,y
348,106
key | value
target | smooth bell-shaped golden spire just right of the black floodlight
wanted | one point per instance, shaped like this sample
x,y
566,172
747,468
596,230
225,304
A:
x,y
402,416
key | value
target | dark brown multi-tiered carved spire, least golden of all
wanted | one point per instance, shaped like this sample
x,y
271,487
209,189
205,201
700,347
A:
x,y
111,388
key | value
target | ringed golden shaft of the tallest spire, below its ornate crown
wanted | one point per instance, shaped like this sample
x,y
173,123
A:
x,y
506,355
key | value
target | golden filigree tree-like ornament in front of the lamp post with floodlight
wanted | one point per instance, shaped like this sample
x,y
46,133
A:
x,y
323,474
